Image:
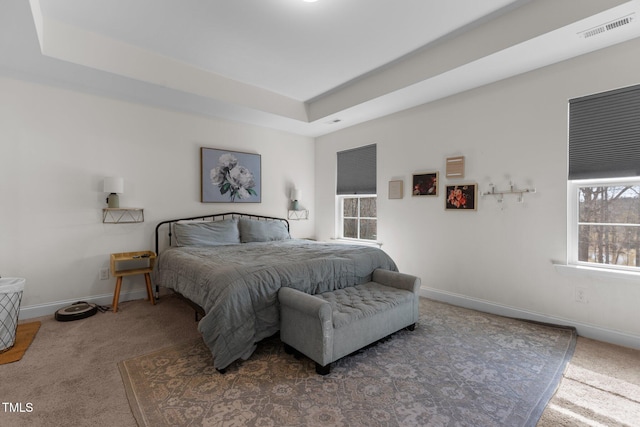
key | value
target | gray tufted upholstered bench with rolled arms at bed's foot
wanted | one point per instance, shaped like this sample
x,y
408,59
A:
x,y
331,325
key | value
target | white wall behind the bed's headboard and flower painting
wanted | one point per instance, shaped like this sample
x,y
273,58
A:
x,y
56,147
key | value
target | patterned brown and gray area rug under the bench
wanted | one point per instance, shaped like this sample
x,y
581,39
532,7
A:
x,y
459,367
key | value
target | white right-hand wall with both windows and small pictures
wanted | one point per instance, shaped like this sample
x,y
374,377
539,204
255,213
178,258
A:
x,y
498,258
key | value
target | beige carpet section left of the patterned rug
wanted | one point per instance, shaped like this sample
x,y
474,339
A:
x,y
70,374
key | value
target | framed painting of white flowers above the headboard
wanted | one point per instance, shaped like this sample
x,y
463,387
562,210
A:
x,y
230,176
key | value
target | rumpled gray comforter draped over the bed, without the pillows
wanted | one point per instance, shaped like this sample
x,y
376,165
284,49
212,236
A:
x,y
237,285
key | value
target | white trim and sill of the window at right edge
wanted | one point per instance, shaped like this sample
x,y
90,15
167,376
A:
x,y
573,266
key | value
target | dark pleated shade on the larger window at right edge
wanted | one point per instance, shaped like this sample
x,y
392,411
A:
x,y
604,134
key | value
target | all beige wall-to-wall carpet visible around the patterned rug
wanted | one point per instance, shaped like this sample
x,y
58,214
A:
x,y
70,372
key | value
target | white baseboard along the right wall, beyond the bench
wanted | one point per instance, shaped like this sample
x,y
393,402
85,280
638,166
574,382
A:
x,y
584,329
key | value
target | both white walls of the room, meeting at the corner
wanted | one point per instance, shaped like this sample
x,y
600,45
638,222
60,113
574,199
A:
x,y
56,146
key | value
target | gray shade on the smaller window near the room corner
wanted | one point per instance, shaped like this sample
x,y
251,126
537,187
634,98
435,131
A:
x,y
357,171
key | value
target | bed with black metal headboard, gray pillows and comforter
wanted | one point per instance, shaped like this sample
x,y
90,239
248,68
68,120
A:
x,y
231,266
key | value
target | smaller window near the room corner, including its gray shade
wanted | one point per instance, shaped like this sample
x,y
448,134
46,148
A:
x,y
356,194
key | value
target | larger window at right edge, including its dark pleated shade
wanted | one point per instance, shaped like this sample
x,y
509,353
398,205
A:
x,y
604,179
